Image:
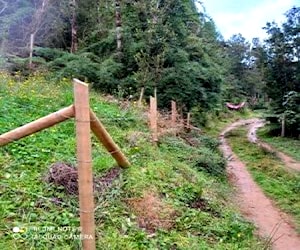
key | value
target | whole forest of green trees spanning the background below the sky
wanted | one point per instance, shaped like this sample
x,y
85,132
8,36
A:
x,y
124,46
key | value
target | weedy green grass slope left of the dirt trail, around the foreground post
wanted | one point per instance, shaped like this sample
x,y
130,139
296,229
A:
x,y
170,174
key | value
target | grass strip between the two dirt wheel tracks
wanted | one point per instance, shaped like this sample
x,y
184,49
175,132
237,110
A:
x,y
279,184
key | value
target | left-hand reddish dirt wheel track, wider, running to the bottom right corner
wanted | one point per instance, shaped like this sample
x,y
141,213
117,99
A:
x,y
269,220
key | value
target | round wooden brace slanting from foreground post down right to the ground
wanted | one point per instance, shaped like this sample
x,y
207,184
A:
x,y
104,137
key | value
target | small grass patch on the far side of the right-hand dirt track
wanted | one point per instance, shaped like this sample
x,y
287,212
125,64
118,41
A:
x,y
288,146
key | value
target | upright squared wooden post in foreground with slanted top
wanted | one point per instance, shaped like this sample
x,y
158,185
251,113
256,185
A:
x,y
84,158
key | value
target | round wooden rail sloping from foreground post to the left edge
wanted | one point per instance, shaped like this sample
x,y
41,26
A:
x,y
38,125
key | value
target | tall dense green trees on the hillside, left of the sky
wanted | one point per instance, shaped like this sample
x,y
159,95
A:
x,y
166,45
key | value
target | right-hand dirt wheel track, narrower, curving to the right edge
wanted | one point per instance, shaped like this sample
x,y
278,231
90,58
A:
x,y
288,161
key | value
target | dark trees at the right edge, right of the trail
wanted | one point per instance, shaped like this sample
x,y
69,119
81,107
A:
x,y
283,71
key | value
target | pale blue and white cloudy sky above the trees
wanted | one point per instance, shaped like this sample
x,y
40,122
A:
x,y
247,16
